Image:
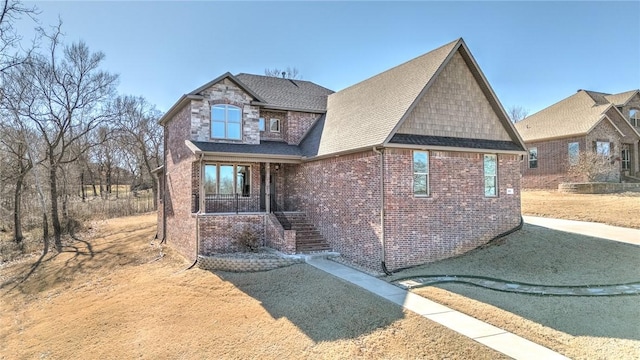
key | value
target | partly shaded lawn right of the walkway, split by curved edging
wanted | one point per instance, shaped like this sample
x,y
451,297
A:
x,y
578,327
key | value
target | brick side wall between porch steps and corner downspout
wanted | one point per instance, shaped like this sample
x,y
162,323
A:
x,y
341,197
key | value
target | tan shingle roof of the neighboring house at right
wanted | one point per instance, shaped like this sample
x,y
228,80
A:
x,y
573,116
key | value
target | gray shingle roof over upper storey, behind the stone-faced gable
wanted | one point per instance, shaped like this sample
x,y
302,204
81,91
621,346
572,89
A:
x,y
288,94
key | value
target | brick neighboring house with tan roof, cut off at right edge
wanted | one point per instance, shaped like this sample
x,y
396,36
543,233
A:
x,y
589,136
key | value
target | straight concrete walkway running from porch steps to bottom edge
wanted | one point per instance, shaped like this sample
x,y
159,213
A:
x,y
488,335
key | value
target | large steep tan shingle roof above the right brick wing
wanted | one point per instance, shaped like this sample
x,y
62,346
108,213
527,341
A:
x,y
368,113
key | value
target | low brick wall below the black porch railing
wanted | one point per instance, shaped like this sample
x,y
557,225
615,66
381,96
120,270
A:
x,y
218,233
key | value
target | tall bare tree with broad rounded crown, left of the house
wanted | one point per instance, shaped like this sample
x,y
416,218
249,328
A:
x,y
67,101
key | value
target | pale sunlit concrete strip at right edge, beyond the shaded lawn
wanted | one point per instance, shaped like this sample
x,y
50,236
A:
x,y
616,233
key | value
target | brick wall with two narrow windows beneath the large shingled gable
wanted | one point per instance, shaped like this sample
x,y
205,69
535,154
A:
x,y
456,217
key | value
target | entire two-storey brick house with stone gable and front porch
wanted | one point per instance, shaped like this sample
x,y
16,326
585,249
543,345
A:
x,y
412,165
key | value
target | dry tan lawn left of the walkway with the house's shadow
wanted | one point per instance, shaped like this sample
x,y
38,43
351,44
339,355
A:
x,y
113,296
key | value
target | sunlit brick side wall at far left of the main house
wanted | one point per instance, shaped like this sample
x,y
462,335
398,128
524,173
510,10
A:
x,y
180,226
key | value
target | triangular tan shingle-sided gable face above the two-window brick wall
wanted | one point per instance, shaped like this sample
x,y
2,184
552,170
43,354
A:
x,y
455,106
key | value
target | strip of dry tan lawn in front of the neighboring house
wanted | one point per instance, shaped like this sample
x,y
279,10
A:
x,y
613,209
